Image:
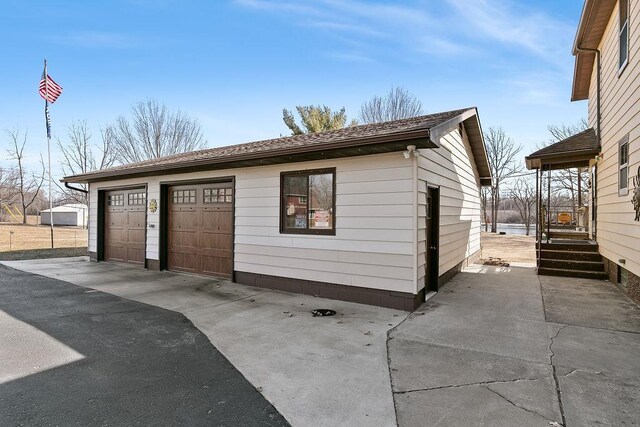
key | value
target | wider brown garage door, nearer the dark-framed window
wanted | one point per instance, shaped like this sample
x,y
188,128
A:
x,y
200,233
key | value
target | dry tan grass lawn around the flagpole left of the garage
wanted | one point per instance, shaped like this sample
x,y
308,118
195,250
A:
x,y
15,237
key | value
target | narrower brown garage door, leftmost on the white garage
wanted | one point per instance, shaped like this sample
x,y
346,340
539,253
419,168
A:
x,y
124,226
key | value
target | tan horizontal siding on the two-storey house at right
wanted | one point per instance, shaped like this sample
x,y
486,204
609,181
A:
x,y
617,233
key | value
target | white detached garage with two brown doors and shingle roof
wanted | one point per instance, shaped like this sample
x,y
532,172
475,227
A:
x,y
379,214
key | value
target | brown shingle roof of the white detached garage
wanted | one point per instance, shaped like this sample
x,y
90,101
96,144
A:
x,y
350,137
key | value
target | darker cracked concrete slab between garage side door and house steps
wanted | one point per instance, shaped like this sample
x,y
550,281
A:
x,y
503,346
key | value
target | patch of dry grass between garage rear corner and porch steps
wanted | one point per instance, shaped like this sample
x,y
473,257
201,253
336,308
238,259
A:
x,y
509,247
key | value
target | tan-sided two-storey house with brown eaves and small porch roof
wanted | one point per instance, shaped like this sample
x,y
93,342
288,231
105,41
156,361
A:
x,y
607,74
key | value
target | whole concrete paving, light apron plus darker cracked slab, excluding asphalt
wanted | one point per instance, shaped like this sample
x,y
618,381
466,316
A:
x,y
496,346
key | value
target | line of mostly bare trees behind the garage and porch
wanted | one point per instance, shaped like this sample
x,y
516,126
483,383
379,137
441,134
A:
x,y
152,130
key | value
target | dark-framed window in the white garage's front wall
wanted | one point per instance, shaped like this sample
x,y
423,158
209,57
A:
x,y
308,203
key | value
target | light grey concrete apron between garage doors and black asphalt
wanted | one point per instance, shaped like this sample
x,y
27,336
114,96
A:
x,y
321,371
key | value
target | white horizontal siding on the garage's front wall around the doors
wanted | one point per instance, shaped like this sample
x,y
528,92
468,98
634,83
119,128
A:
x,y
374,242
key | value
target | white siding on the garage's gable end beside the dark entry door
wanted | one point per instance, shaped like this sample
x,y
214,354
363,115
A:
x,y
451,168
